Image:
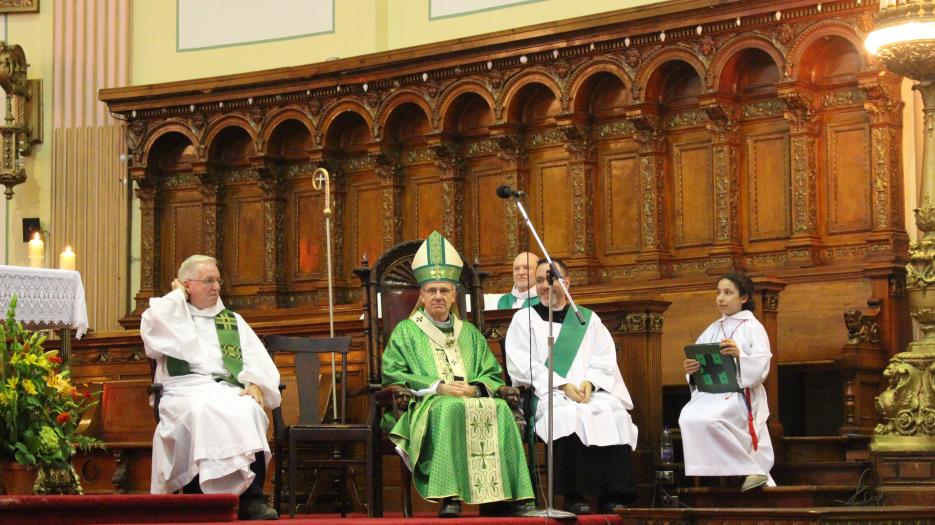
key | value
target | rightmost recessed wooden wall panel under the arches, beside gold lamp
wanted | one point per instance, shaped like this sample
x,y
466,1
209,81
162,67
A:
x,y
848,177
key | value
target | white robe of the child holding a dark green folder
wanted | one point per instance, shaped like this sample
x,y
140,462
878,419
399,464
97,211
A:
x,y
716,437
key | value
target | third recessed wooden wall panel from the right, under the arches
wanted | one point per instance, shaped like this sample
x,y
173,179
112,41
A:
x,y
693,185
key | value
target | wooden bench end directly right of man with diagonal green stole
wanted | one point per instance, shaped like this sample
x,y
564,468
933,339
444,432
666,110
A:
x,y
637,330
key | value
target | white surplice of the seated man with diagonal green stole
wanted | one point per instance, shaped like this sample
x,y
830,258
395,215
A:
x,y
605,419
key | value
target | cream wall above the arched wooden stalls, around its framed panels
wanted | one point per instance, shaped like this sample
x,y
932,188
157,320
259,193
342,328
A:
x,y
360,27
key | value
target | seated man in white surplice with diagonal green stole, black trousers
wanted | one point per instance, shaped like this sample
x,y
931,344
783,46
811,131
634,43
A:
x,y
593,433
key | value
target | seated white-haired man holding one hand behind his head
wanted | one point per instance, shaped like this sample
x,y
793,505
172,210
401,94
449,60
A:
x,y
217,377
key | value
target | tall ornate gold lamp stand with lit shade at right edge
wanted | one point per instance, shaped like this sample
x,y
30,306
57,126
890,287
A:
x,y
904,41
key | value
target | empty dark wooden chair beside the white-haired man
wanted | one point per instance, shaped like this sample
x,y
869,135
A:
x,y
296,444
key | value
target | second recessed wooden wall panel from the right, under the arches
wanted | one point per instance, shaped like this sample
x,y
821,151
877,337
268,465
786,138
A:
x,y
767,180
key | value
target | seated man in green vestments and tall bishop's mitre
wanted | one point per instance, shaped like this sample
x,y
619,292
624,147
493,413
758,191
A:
x,y
460,443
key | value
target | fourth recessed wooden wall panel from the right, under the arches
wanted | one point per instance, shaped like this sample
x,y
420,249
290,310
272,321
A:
x,y
621,196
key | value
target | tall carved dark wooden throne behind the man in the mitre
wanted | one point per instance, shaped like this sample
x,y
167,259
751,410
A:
x,y
390,291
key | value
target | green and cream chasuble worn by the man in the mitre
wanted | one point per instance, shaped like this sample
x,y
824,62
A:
x,y
466,448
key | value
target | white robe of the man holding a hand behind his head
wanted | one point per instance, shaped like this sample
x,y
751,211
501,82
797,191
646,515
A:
x,y
206,427
